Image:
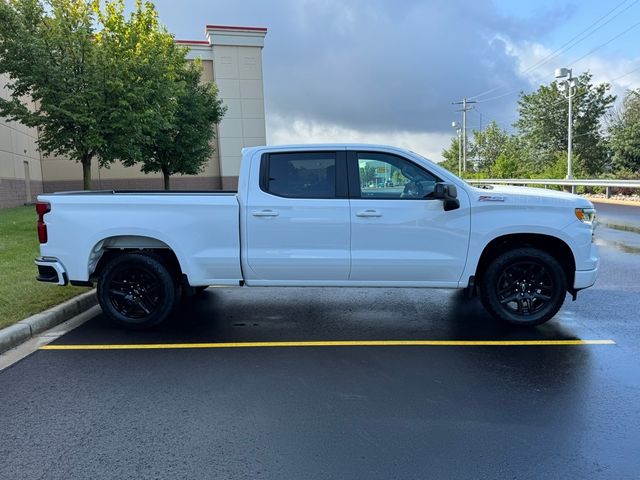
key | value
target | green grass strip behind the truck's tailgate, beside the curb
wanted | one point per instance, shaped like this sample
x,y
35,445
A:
x,y
20,294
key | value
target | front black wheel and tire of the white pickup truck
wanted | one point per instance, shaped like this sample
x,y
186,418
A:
x,y
524,286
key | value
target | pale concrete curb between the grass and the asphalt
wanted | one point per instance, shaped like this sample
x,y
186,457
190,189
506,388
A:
x,y
22,331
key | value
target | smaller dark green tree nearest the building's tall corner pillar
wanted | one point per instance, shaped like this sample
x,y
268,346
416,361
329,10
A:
x,y
184,145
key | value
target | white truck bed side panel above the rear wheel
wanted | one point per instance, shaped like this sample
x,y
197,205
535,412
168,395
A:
x,y
201,228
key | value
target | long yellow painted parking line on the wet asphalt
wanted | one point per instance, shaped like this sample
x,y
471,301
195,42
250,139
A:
x,y
331,343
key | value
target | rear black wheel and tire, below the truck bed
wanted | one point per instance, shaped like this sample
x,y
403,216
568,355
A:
x,y
137,291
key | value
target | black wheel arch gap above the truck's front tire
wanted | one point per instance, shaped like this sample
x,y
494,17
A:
x,y
554,246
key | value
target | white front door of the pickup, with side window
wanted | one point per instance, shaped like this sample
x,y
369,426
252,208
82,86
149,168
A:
x,y
399,233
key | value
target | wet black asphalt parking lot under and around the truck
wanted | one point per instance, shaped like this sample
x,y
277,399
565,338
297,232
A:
x,y
357,411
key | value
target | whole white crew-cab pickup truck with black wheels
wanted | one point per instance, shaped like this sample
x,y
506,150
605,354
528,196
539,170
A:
x,y
322,215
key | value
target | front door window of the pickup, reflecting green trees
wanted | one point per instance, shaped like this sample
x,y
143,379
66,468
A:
x,y
391,177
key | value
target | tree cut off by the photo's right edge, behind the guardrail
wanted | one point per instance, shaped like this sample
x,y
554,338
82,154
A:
x,y
625,134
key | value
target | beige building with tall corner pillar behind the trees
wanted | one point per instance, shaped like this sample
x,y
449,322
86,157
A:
x,y
231,57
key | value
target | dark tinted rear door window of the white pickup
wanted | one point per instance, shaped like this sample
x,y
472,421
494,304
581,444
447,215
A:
x,y
302,175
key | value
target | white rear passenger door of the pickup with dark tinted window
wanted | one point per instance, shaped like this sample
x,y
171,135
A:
x,y
298,220
